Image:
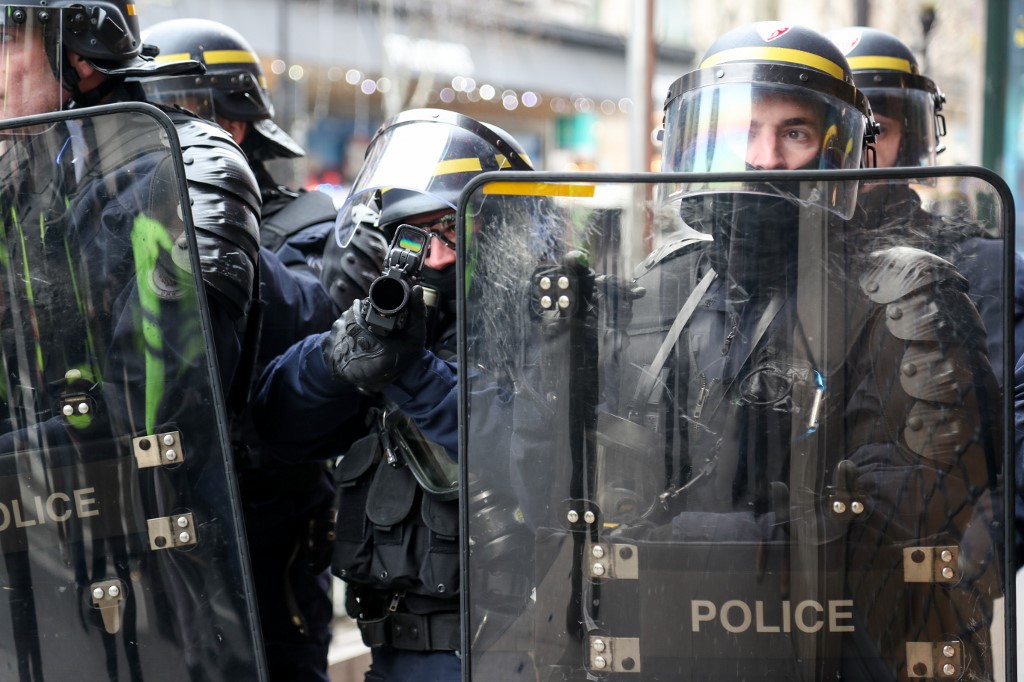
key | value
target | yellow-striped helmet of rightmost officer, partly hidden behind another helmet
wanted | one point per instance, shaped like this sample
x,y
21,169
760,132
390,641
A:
x,y
886,71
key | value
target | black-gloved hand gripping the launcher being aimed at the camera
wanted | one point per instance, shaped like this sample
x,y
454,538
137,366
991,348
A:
x,y
363,359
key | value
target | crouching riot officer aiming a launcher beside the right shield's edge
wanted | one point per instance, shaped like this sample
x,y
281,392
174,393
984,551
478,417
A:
x,y
398,527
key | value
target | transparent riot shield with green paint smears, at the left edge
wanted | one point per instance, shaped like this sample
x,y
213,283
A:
x,y
119,523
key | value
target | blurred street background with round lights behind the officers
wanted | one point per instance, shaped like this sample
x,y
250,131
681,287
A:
x,y
580,83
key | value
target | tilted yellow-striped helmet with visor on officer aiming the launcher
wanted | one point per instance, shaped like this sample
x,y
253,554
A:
x,y
419,162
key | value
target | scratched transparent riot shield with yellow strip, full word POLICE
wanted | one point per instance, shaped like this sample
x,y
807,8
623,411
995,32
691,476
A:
x,y
716,434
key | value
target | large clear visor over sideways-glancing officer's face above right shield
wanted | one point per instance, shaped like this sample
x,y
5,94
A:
x,y
738,127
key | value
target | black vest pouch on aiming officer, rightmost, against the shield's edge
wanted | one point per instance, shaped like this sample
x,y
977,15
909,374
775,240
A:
x,y
440,570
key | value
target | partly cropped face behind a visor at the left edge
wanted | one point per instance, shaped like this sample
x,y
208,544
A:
x,y
27,83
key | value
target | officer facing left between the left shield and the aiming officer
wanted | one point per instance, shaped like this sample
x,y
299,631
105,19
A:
x,y
289,507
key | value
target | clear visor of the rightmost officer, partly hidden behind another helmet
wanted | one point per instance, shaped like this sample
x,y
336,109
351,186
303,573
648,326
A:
x,y
909,136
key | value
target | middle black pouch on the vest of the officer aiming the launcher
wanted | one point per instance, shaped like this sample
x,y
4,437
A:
x,y
393,496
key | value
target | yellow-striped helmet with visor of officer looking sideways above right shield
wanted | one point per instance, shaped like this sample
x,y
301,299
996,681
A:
x,y
715,116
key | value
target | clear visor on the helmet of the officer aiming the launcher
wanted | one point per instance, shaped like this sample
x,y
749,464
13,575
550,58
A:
x,y
424,163
